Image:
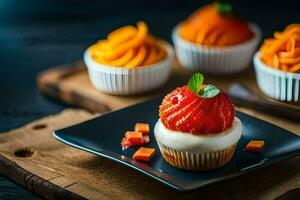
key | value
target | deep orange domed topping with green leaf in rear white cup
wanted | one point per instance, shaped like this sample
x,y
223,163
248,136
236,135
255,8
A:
x,y
215,25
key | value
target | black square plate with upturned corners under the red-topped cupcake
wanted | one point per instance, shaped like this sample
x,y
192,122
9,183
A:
x,y
102,136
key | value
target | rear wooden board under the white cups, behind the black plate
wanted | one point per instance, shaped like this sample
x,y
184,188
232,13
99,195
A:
x,y
71,85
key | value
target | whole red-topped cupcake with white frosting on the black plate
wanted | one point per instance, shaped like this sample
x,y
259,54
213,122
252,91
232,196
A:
x,y
197,129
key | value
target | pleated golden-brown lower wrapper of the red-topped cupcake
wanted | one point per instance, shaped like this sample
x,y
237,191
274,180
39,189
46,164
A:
x,y
197,161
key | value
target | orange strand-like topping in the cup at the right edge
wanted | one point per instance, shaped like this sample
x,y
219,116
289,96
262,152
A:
x,y
283,51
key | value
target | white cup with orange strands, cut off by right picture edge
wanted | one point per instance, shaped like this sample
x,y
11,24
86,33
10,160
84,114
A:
x,y
277,65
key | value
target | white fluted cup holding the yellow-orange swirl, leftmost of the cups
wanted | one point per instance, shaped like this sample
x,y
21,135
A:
x,y
124,81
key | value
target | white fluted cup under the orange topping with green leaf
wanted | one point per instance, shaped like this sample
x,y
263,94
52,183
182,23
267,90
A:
x,y
215,60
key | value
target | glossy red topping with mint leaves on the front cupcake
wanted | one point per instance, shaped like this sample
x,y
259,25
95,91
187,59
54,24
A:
x,y
197,109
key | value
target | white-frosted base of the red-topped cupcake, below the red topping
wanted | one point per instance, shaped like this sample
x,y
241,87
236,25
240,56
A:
x,y
197,152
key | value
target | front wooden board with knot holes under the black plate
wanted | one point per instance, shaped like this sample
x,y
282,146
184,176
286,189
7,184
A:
x,y
31,157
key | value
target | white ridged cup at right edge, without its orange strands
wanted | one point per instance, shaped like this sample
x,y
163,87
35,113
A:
x,y
280,85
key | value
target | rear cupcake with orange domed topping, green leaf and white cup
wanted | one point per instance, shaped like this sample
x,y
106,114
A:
x,y
216,41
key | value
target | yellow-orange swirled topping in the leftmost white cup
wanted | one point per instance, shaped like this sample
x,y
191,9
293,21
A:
x,y
128,47
